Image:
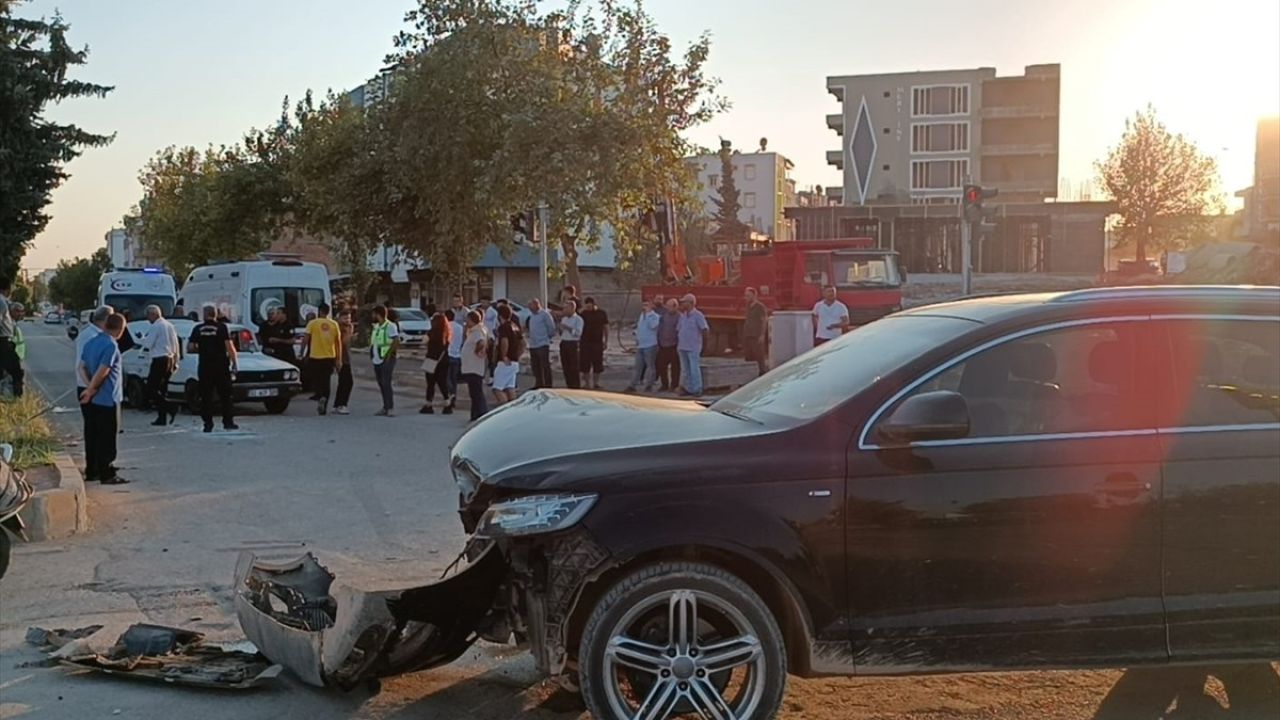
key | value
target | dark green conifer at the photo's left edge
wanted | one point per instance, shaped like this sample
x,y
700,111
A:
x,y
35,62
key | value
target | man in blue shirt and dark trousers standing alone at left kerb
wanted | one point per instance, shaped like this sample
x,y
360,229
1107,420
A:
x,y
100,400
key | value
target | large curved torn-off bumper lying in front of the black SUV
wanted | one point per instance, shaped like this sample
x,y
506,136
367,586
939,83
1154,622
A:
x,y
332,635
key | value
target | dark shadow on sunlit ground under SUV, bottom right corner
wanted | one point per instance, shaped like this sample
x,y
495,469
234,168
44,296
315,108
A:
x,y
1228,692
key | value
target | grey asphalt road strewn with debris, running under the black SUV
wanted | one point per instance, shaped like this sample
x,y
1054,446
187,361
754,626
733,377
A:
x,y
373,499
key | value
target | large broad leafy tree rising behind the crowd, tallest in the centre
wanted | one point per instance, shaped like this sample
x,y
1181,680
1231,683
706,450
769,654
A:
x,y
497,108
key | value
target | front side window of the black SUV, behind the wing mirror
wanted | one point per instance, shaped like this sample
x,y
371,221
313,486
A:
x,y
1072,380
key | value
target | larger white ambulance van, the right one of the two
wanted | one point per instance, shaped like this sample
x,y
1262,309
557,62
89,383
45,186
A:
x,y
246,291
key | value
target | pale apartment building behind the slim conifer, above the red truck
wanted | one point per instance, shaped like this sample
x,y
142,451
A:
x,y
765,189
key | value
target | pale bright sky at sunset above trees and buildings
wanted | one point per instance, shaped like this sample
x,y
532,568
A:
x,y
198,74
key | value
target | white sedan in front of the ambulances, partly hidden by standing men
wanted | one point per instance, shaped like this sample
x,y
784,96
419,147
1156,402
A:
x,y
260,379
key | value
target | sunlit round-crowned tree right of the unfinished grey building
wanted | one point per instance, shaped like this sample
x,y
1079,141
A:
x,y
1167,190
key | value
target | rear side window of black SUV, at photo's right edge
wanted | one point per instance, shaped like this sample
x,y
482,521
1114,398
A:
x,y
1226,372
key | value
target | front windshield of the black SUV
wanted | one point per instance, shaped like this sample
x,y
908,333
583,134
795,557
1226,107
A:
x,y
833,373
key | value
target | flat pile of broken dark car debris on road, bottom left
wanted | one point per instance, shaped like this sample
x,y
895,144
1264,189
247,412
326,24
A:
x,y
158,654
